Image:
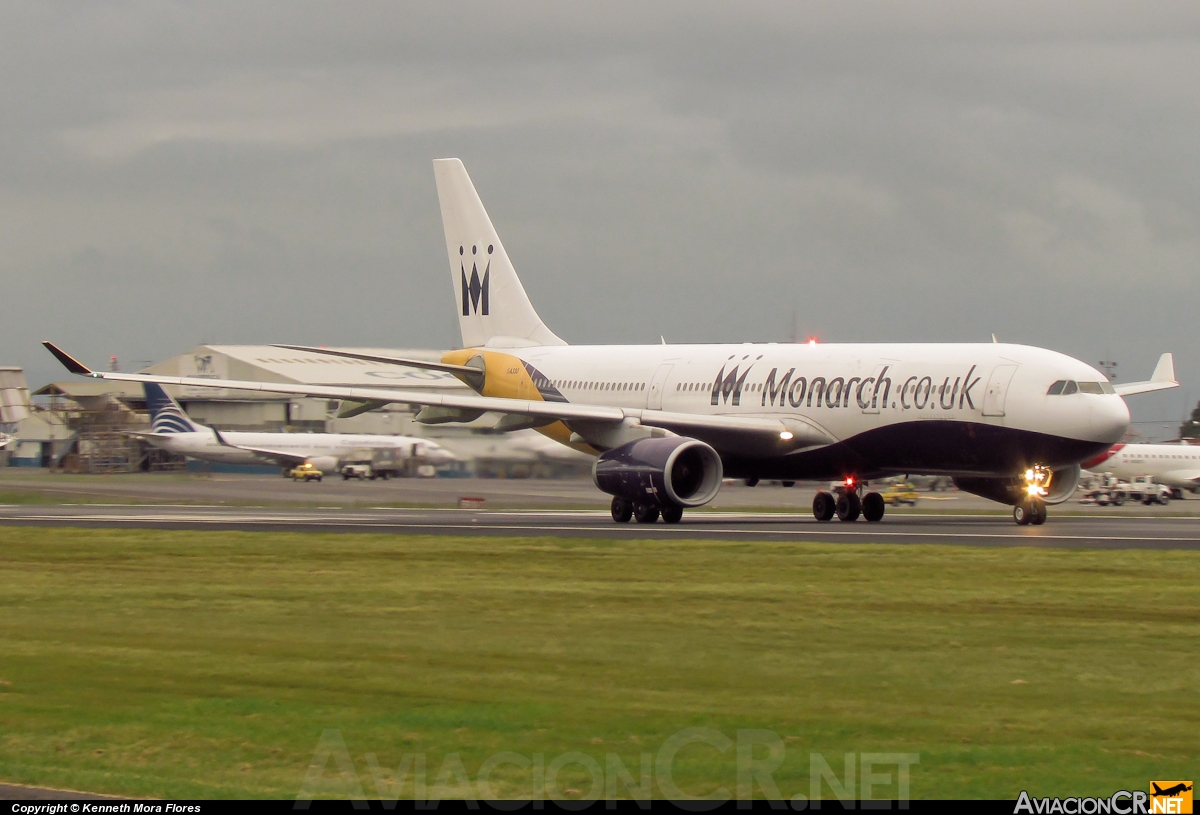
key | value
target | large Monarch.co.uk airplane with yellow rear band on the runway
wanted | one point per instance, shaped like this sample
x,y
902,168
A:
x,y
667,423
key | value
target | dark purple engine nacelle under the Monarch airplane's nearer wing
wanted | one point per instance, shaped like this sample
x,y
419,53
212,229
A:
x,y
661,471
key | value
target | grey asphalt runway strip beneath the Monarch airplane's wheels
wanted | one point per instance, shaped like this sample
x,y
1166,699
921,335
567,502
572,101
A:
x,y
1067,532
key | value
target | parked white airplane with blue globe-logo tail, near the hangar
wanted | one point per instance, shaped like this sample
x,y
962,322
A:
x,y
172,430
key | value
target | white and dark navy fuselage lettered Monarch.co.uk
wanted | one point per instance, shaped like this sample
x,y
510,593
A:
x,y
980,409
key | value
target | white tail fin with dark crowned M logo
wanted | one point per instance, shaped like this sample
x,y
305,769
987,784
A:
x,y
494,308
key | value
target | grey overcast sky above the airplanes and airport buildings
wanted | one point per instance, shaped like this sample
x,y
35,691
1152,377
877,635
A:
x,y
184,173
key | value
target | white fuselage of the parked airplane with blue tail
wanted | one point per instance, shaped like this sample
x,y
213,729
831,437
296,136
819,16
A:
x,y
203,445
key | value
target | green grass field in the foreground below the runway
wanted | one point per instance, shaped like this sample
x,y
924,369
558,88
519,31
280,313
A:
x,y
207,664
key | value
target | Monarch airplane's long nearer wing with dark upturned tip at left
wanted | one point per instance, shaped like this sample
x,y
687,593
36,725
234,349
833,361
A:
x,y
790,435
